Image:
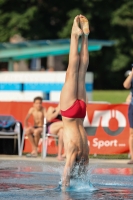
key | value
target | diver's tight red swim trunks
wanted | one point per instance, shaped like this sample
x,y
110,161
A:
x,y
77,110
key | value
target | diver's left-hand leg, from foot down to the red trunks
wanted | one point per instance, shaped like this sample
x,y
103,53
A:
x,y
69,91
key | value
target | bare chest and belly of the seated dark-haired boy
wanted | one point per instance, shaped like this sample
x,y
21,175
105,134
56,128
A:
x,y
38,116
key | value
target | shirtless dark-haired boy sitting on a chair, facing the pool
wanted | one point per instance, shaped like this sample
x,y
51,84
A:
x,y
34,133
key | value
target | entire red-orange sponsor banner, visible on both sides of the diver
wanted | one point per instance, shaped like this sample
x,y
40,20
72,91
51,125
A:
x,y
106,126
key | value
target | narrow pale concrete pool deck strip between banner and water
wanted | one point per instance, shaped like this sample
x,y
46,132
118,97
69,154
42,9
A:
x,y
115,163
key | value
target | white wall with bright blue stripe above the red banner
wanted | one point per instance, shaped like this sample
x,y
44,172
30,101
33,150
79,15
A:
x,y
24,86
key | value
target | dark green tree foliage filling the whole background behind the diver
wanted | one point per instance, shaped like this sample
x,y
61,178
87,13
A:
x,y
110,20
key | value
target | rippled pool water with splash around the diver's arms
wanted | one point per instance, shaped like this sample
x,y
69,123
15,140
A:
x,y
24,180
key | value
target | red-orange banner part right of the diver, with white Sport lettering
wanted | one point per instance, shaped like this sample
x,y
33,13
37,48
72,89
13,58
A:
x,y
107,128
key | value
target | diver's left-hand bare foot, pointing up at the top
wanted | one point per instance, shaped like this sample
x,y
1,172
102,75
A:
x,y
75,28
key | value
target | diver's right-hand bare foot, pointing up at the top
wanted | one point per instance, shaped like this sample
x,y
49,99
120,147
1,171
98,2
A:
x,y
84,24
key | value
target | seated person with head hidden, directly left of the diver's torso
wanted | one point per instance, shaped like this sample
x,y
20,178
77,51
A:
x,y
55,126
